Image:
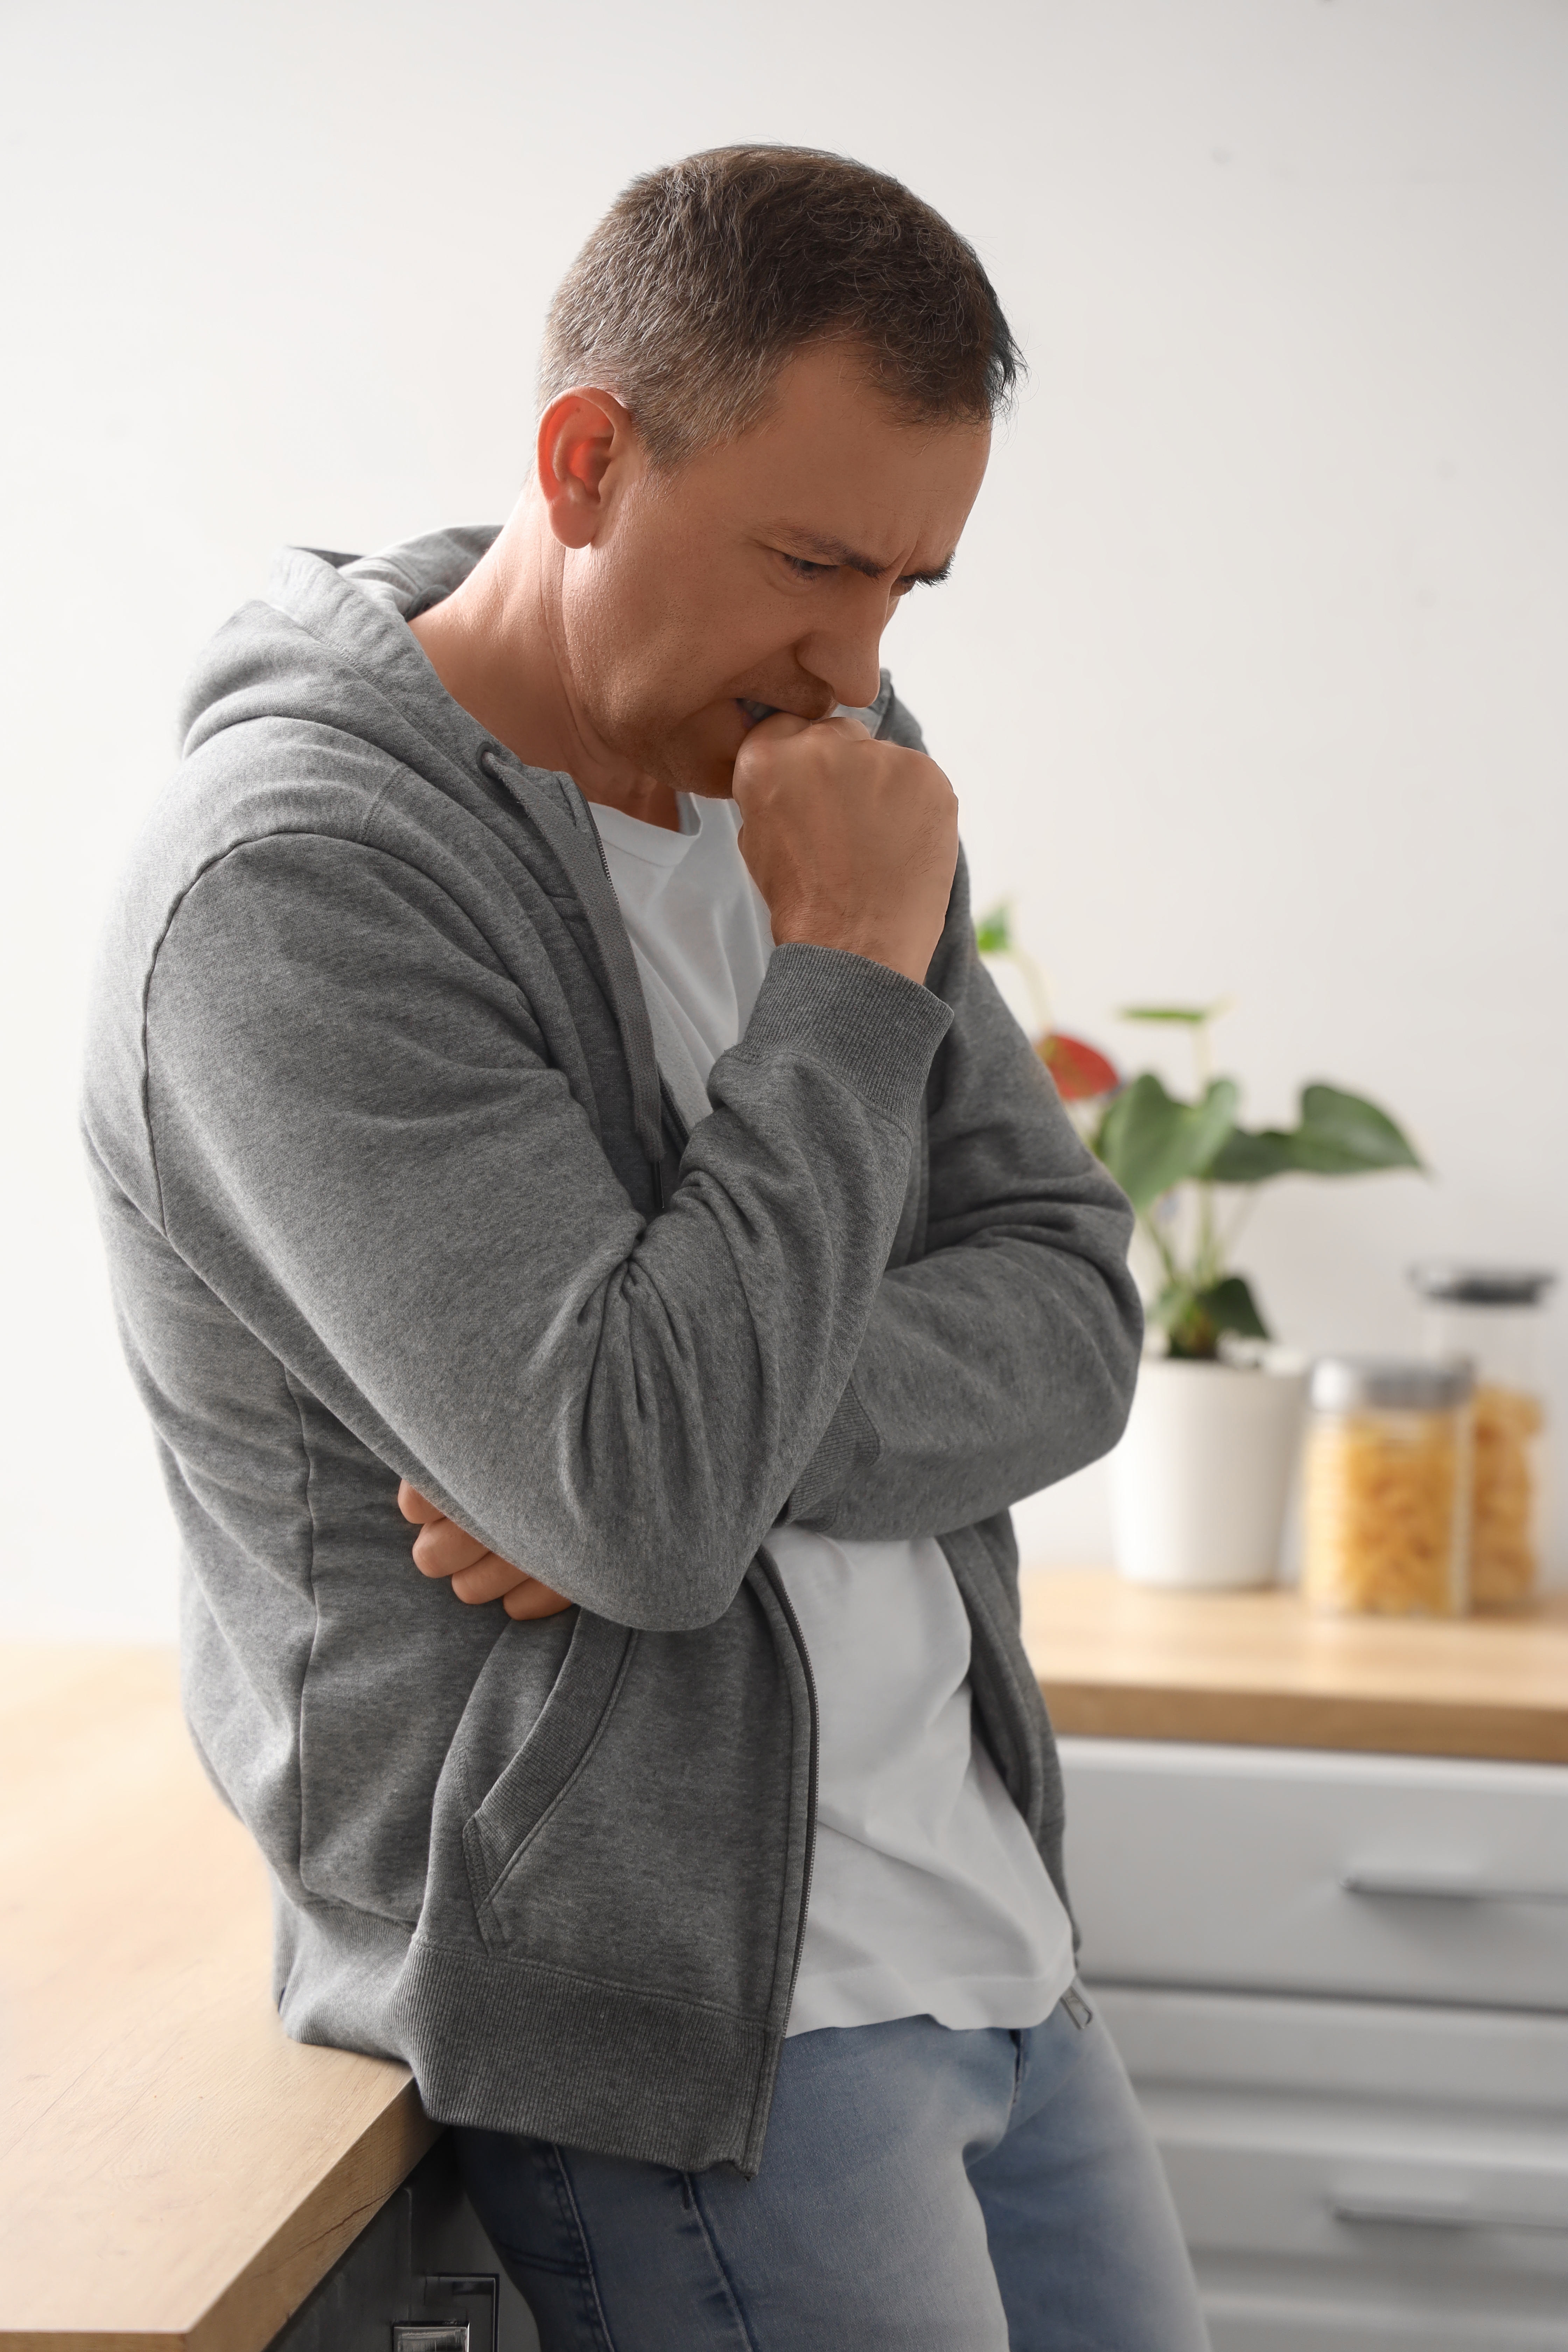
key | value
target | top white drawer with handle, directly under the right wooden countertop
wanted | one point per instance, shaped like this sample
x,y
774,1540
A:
x,y
1304,1871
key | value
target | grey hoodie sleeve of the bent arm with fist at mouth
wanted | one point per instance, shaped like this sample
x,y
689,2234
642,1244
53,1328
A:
x,y
363,1151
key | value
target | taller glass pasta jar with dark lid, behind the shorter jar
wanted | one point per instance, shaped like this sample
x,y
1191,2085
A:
x,y
1492,1316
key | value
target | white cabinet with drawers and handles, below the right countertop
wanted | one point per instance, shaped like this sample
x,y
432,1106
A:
x,y
1334,1982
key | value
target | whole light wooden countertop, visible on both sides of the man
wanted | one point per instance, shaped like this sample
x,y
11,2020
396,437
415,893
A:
x,y
177,2174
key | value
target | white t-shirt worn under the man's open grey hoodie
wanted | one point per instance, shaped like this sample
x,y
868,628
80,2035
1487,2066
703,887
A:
x,y
930,1895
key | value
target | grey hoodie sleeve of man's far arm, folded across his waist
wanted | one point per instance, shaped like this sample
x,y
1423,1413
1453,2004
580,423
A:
x,y
1003,1358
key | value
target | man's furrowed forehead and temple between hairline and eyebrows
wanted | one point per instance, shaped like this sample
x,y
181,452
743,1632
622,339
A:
x,y
836,462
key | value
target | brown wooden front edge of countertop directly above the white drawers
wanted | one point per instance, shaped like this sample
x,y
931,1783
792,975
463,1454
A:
x,y
1261,1718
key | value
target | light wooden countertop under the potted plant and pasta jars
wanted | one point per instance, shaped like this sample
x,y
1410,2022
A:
x,y
1130,1662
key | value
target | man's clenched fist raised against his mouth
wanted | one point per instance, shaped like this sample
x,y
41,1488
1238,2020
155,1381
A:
x,y
850,841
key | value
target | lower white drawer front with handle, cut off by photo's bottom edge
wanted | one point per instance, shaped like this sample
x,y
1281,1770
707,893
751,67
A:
x,y
1360,2174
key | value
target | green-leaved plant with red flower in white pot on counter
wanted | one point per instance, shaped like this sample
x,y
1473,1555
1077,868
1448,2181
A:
x,y
1205,1471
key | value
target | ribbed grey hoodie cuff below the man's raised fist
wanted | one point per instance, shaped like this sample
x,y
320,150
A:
x,y
873,1027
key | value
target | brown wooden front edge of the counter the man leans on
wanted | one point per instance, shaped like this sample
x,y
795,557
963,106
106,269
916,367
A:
x,y
300,2254
